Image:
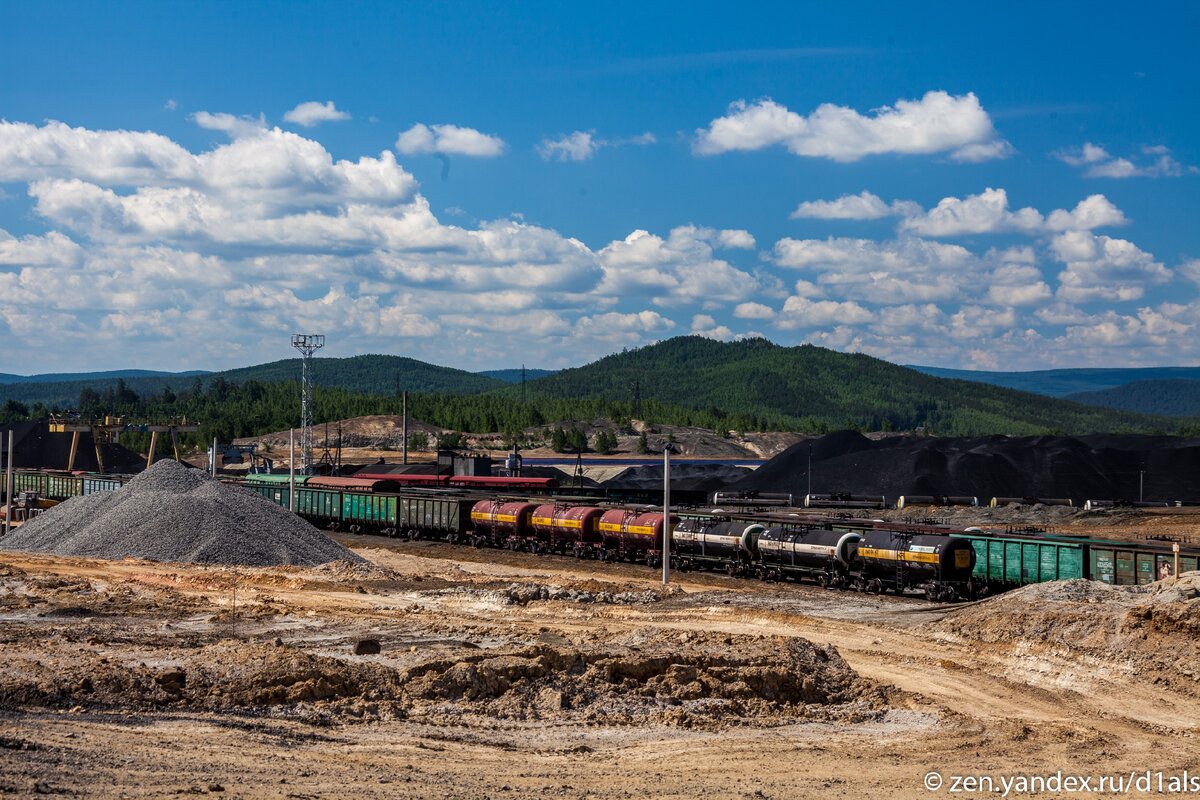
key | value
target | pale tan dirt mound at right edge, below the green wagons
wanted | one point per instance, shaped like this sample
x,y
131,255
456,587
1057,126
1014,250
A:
x,y
1151,630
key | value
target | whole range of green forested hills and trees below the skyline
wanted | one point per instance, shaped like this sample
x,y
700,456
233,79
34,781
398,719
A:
x,y
752,386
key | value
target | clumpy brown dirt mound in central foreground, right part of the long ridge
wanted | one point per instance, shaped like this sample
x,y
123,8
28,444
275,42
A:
x,y
680,679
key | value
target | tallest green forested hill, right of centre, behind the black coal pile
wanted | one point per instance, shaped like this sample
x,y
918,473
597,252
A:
x,y
809,388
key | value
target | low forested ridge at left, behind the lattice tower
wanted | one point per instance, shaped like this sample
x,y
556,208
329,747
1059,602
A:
x,y
365,375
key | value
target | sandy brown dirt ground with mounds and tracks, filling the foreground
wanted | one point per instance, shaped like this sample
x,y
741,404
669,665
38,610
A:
x,y
509,676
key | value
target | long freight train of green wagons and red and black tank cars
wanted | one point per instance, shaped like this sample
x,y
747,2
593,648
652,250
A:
x,y
779,544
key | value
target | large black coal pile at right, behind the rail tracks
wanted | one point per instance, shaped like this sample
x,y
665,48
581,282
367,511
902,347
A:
x,y
1100,467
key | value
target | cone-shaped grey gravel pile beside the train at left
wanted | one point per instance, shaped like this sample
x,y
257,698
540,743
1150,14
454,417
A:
x,y
176,514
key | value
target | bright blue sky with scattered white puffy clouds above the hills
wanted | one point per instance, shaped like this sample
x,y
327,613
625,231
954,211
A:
x,y
183,185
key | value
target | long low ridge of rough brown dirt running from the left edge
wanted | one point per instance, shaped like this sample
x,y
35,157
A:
x,y
703,681
